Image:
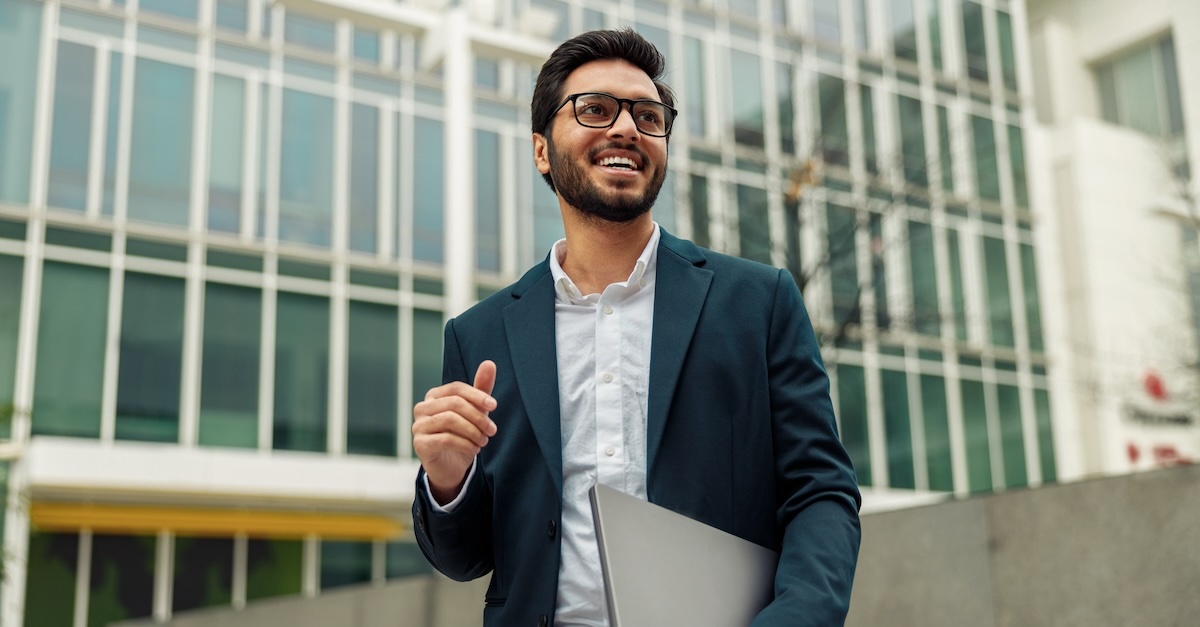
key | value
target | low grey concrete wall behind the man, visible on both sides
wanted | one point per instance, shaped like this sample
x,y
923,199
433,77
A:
x,y
1114,552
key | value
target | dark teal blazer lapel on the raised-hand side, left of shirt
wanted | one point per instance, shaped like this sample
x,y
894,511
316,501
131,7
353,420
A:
x,y
530,330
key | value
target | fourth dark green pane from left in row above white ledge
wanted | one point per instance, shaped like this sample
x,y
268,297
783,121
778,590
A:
x,y
302,373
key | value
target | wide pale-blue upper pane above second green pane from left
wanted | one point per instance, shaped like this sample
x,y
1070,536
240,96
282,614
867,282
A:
x,y
161,152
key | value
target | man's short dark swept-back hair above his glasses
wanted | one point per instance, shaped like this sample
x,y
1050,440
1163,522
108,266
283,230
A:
x,y
593,46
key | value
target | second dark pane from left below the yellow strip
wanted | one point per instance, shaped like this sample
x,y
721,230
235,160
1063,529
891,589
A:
x,y
122,578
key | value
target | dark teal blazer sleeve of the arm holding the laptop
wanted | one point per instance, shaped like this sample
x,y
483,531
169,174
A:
x,y
818,498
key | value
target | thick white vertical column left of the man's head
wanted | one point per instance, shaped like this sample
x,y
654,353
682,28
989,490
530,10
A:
x,y
459,169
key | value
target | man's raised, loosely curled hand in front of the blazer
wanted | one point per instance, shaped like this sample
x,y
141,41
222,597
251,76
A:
x,y
449,428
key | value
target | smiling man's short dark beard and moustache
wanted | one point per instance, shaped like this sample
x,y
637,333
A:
x,y
572,182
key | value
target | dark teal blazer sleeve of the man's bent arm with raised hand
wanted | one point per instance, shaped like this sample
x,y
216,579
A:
x,y
458,544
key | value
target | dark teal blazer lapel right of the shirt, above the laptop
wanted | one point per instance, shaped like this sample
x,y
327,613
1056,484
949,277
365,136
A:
x,y
681,288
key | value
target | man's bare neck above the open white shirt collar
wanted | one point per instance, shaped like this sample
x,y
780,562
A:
x,y
601,254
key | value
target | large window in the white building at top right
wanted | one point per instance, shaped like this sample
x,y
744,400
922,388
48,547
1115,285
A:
x,y
1141,89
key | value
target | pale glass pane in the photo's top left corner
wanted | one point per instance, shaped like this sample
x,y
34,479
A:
x,y
21,27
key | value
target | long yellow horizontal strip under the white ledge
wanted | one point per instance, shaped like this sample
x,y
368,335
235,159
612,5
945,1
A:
x,y
207,522
